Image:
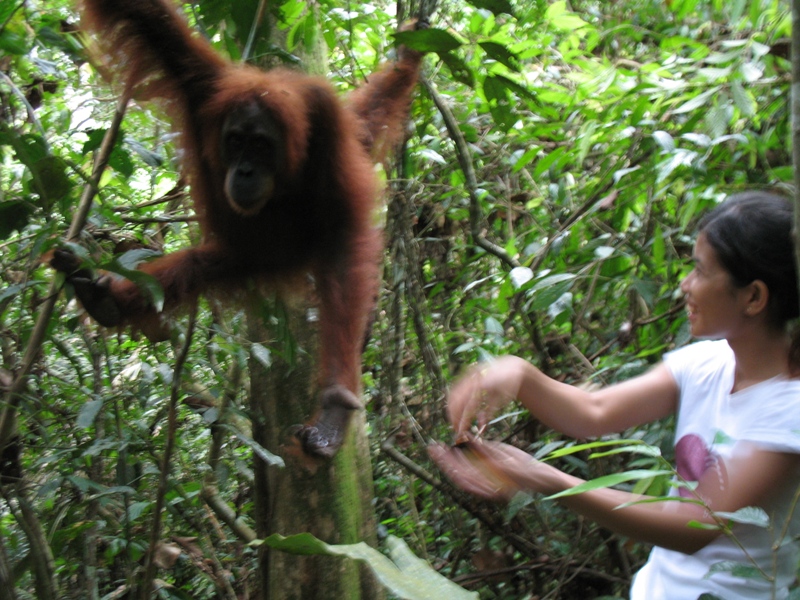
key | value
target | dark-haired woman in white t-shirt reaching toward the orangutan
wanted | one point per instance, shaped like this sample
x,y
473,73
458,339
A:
x,y
737,401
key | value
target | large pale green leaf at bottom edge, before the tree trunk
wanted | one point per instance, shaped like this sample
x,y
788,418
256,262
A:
x,y
405,575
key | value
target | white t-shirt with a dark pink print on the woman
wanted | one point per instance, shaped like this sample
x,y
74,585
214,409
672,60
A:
x,y
710,422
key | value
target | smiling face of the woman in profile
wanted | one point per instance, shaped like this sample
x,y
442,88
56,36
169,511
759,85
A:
x,y
716,307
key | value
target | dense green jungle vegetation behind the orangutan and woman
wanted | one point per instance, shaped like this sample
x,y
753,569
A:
x,y
543,205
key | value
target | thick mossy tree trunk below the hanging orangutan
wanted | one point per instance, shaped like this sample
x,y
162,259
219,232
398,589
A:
x,y
329,499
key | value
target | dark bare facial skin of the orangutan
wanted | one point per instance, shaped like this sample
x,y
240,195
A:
x,y
252,153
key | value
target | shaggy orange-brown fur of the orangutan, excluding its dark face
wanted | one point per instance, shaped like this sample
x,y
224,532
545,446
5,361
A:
x,y
320,219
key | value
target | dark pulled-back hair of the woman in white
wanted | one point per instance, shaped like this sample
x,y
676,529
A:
x,y
751,233
